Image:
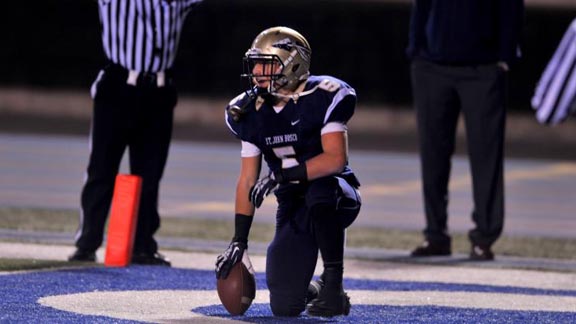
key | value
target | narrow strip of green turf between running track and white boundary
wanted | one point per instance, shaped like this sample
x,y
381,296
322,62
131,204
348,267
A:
x,y
67,221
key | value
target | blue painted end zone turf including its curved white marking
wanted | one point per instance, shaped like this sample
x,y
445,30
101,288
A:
x,y
157,294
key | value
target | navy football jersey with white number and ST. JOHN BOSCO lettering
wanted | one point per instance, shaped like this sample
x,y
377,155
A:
x,y
294,132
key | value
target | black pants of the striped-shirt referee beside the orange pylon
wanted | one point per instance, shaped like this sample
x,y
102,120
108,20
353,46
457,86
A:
x,y
138,117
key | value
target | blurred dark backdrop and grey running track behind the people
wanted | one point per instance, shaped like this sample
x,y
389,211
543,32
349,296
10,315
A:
x,y
51,52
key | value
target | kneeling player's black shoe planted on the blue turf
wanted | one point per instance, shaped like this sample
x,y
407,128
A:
x,y
329,303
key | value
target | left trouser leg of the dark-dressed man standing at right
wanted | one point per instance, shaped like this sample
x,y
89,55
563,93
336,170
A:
x,y
437,110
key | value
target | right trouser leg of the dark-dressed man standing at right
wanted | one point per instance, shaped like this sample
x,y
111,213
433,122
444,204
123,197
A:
x,y
483,94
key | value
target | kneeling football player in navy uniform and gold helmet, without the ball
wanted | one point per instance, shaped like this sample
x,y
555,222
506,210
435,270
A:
x,y
297,123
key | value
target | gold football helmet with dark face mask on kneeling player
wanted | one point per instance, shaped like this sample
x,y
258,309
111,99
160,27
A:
x,y
282,56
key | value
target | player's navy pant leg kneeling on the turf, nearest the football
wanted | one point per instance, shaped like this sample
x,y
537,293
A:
x,y
290,260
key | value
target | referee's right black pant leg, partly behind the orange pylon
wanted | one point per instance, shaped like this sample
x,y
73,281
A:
x,y
149,148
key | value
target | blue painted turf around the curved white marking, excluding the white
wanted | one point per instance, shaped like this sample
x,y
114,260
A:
x,y
20,293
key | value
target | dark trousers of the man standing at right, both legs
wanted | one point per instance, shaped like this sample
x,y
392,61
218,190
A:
x,y
440,93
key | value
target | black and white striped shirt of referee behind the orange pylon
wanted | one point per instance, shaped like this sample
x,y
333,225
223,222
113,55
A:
x,y
143,35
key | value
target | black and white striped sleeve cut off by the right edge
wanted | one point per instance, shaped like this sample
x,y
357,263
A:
x,y
555,95
